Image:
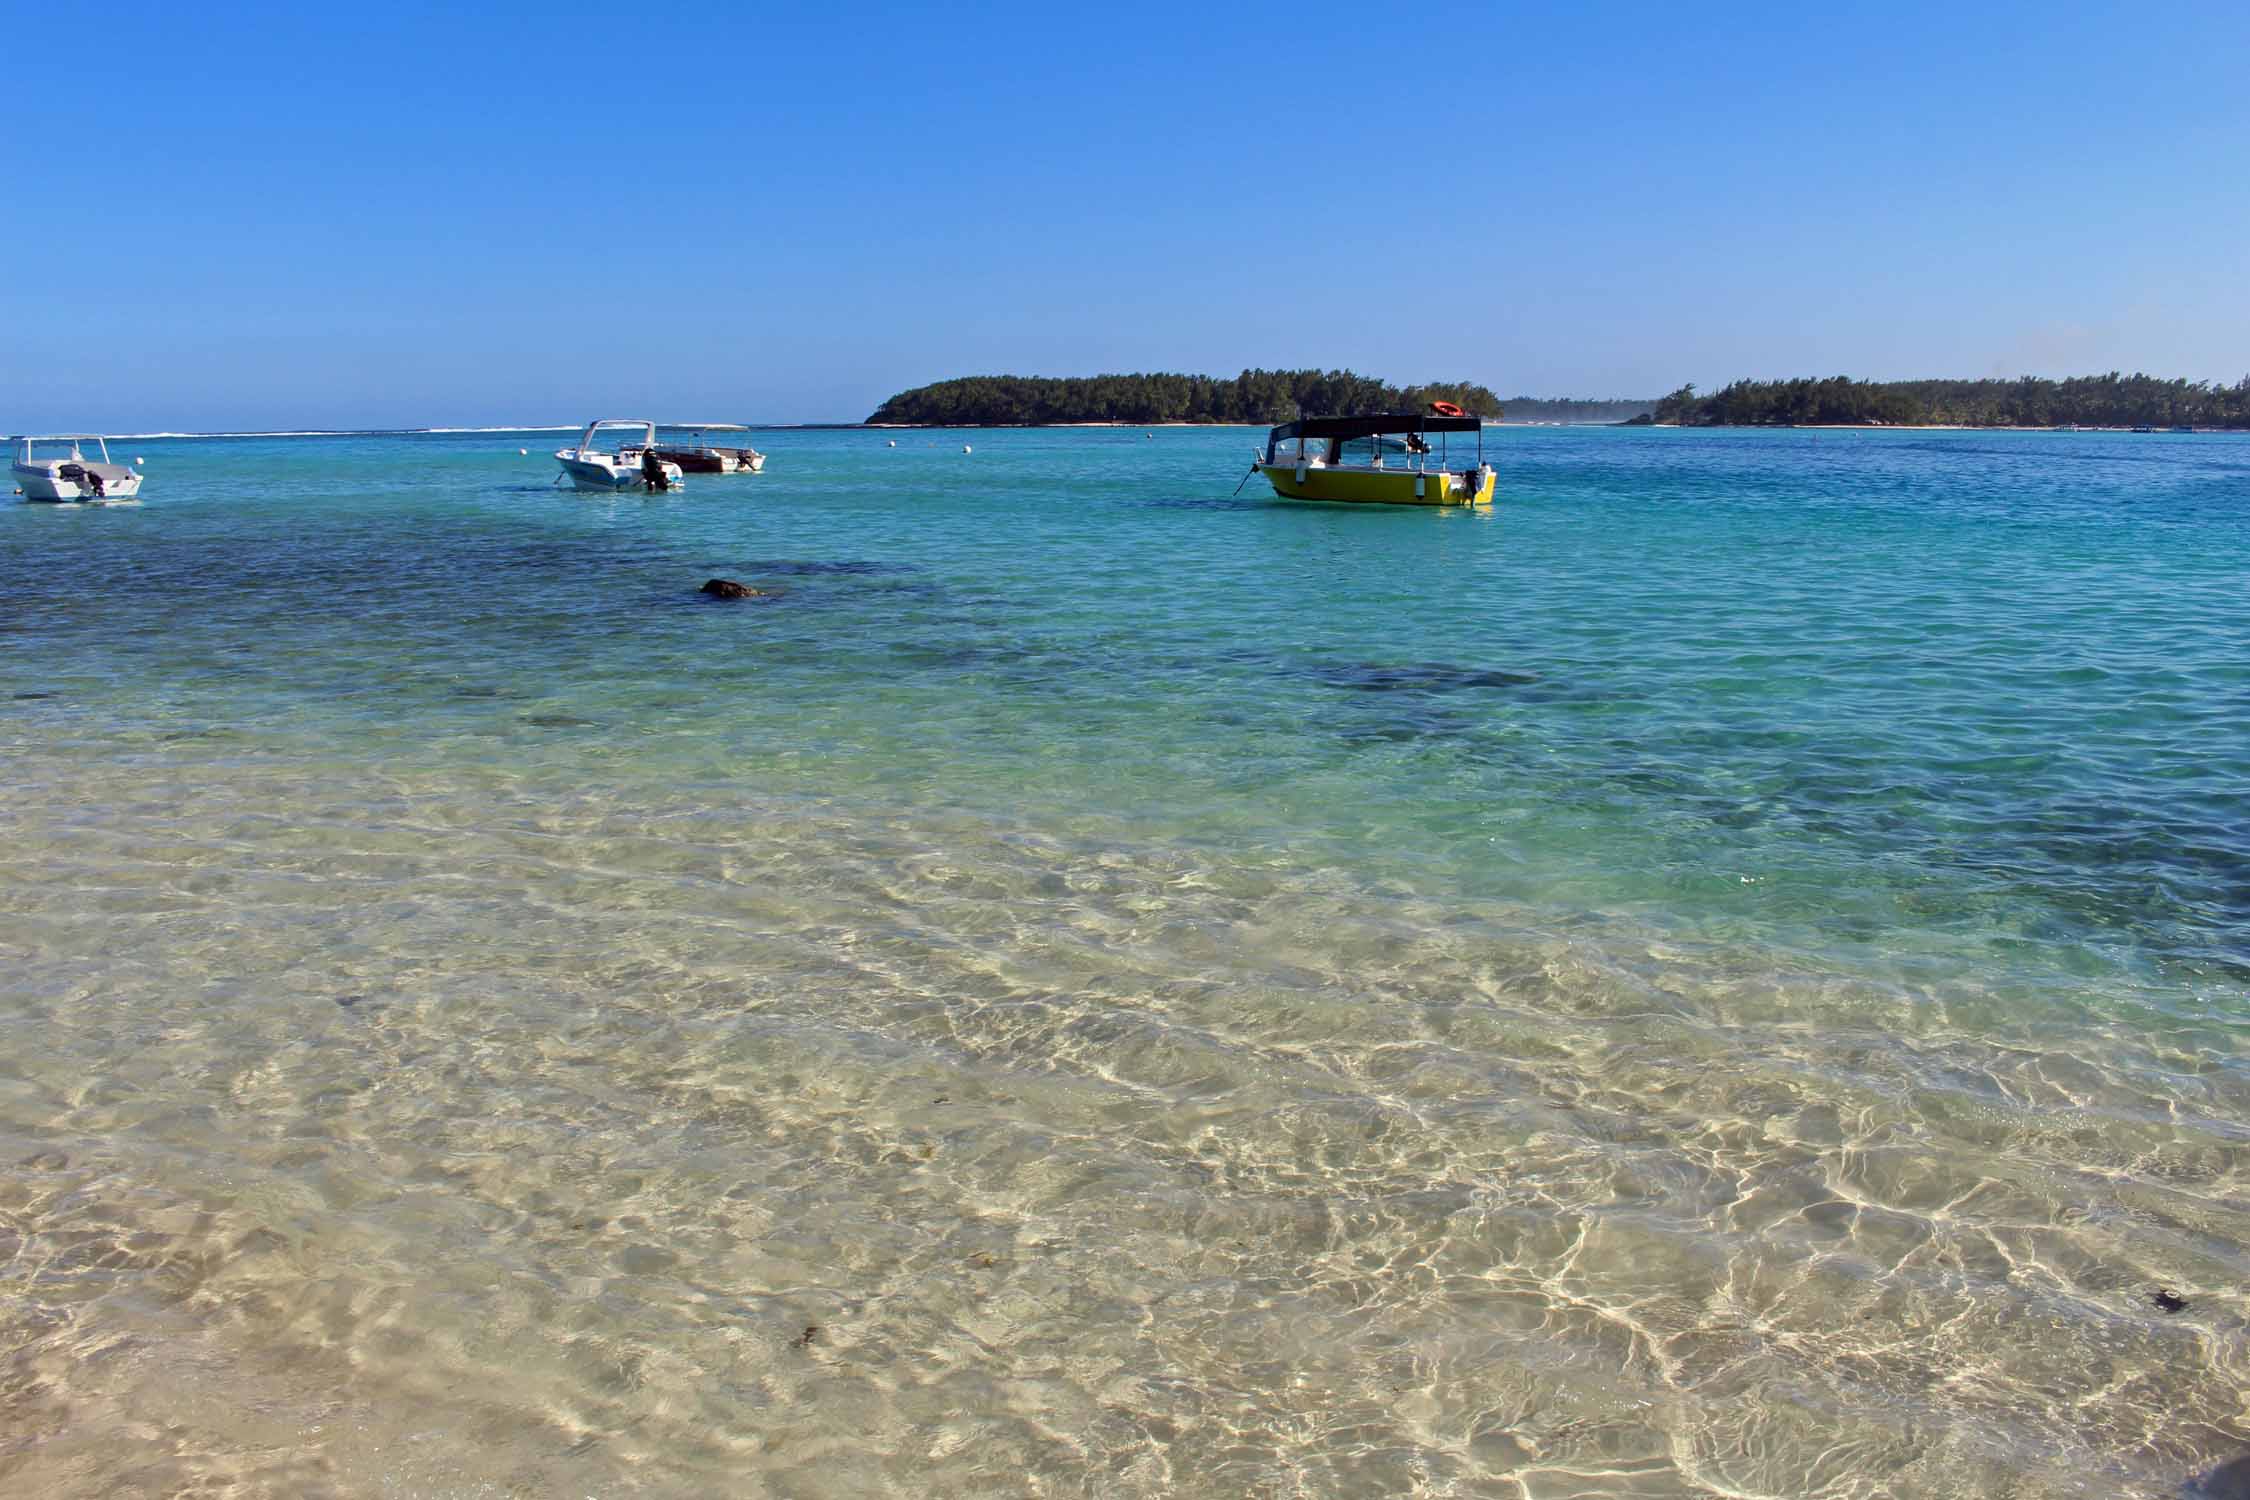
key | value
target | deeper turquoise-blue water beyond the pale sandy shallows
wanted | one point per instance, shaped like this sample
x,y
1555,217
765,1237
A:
x,y
1972,698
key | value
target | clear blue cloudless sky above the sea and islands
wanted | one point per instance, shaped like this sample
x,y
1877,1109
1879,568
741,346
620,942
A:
x,y
534,215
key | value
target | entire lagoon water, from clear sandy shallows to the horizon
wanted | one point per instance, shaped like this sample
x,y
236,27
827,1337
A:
x,y
1722,977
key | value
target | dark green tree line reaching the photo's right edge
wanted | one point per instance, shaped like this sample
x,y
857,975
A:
x,y
2087,401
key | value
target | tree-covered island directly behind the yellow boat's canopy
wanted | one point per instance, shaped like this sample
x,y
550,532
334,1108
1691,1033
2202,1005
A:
x,y
1259,397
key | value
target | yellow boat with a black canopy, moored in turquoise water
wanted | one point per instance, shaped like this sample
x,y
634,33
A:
x,y
1380,460
